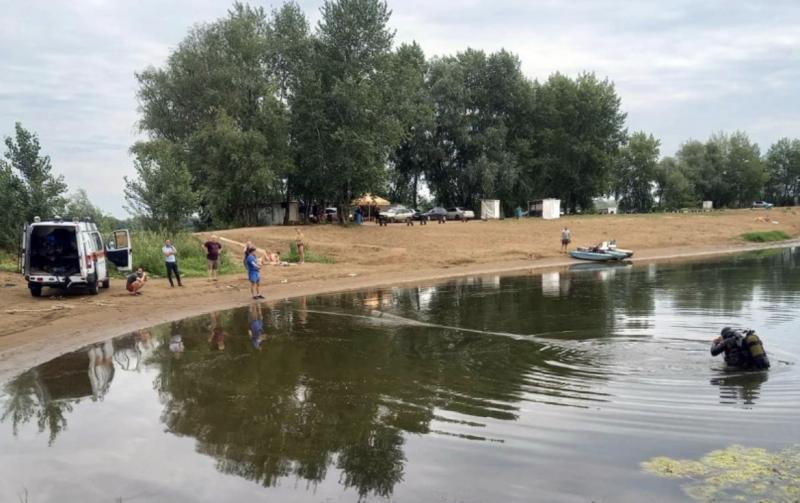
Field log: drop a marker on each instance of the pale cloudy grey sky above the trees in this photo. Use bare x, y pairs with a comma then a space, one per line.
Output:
683, 69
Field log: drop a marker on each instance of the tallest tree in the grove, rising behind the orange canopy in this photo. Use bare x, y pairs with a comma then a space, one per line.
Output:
355, 126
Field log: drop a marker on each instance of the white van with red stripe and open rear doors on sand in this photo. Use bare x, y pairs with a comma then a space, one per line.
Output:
66, 255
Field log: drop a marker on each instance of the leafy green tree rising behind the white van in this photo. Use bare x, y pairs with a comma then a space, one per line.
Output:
45, 191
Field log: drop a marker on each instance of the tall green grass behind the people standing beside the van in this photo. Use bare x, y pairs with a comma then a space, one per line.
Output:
191, 254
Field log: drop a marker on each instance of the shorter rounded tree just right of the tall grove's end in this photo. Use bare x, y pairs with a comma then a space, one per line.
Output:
635, 172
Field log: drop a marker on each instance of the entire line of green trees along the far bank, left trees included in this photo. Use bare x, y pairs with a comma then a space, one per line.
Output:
258, 107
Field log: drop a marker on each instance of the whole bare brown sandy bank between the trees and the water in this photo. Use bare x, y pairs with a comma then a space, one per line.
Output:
35, 330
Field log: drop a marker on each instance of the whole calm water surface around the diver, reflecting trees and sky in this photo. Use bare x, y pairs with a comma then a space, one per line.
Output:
550, 387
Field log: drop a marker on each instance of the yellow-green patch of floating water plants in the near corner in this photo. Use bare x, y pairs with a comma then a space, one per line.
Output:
736, 473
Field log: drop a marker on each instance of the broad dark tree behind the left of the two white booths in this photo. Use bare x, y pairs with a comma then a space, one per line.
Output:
479, 101
